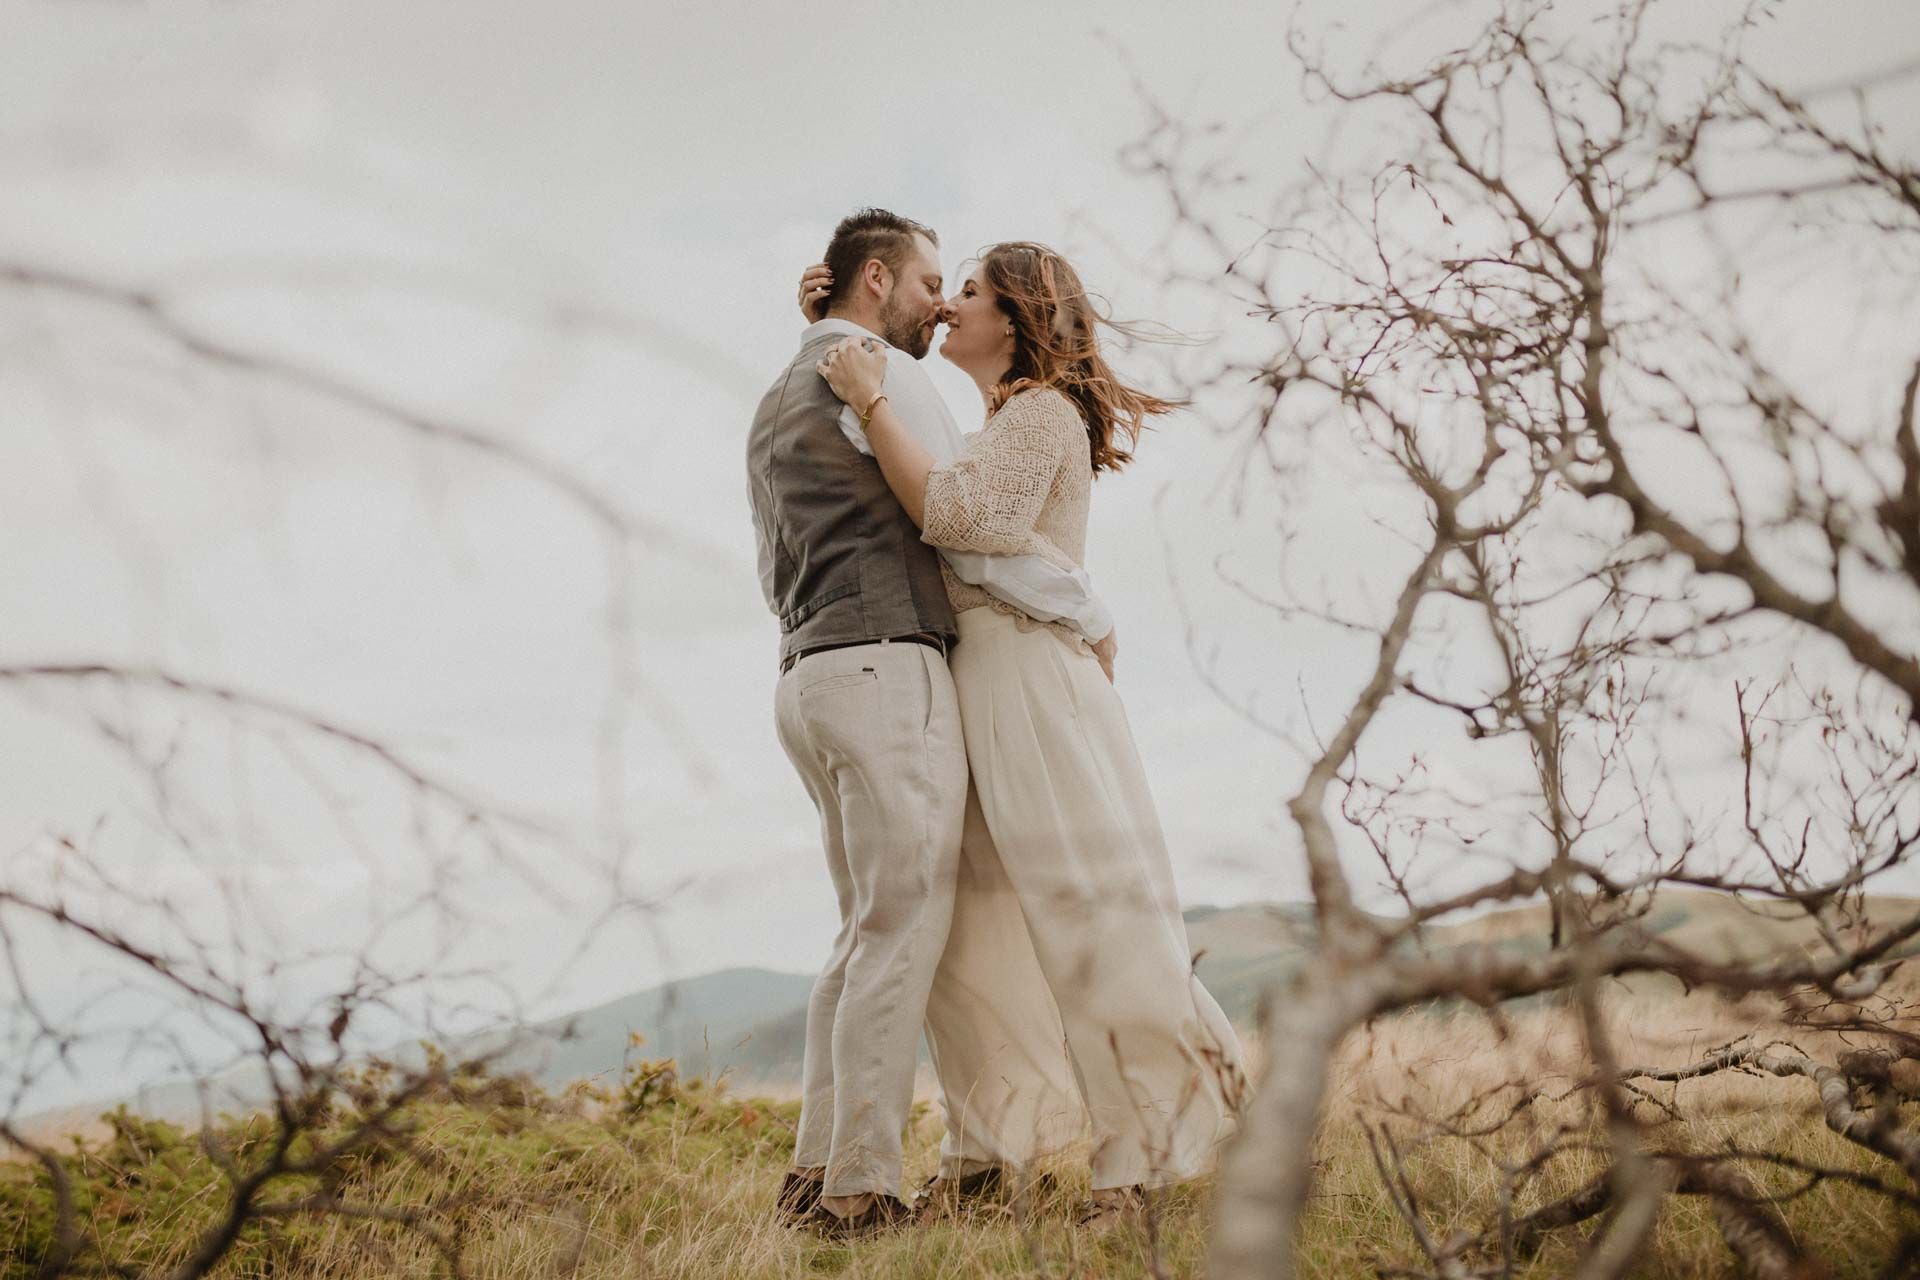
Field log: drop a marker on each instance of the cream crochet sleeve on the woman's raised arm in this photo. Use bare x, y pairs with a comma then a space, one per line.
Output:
992, 496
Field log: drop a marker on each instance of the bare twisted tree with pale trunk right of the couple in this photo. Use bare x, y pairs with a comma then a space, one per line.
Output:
1654, 563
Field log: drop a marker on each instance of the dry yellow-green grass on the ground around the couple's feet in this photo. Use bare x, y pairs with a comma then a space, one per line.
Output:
679, 1179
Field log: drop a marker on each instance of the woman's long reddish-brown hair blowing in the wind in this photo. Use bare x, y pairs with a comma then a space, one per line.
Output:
1055, 346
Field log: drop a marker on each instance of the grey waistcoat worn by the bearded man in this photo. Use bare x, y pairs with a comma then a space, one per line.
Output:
840, 559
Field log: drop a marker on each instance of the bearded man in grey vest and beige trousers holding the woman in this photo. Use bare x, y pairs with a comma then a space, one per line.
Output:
867, 707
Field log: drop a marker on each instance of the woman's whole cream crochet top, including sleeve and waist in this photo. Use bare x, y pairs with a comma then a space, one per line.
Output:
1022, 488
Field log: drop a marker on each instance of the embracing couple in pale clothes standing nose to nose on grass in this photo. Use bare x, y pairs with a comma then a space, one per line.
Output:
946, 694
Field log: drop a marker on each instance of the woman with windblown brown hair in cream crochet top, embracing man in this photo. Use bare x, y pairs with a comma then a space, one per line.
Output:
1082, 905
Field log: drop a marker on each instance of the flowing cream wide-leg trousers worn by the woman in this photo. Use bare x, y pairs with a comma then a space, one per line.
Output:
1068, 968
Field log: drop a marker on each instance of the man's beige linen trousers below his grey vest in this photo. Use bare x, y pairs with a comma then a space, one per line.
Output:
875, 732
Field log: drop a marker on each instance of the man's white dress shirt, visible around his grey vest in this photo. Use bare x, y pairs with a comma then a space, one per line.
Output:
1032, 584
